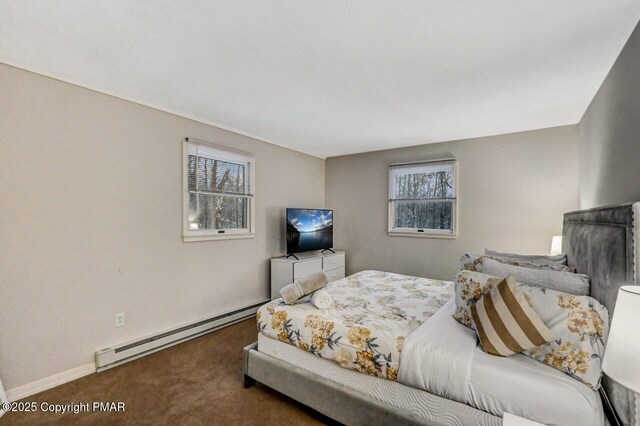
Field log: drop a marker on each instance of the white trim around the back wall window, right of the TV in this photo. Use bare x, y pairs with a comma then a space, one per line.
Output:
426, 233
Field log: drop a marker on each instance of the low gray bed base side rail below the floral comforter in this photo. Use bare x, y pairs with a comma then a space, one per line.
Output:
347, 405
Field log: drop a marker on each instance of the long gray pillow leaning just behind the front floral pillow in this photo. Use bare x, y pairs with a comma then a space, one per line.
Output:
567, 282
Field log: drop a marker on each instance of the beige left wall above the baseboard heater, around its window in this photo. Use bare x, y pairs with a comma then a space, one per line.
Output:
90, 224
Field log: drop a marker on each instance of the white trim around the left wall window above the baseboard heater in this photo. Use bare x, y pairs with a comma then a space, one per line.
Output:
215, 235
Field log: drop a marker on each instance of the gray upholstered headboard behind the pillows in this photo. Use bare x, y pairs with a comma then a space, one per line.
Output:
601, 243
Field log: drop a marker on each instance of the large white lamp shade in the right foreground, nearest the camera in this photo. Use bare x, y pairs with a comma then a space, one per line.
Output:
622, 355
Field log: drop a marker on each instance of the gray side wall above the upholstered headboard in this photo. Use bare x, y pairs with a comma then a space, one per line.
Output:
610, 134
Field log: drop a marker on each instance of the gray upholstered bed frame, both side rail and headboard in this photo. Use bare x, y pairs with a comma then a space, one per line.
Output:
599, 242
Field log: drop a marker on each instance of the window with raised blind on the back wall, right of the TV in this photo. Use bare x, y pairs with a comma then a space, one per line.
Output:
422, 199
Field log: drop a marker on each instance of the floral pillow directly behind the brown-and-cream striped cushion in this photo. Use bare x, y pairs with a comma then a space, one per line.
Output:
580, 324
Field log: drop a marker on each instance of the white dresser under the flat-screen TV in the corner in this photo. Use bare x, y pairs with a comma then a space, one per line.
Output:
285, 271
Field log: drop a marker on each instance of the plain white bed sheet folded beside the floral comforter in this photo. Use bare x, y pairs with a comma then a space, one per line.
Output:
442, 357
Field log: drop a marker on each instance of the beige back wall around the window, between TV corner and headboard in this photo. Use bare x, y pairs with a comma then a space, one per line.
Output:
513, 190
